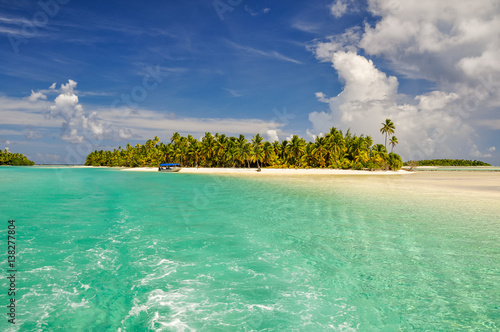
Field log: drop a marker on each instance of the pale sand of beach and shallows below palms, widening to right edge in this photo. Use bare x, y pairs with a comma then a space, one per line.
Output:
470, 185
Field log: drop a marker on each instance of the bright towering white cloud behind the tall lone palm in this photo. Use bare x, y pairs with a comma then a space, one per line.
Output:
428, 127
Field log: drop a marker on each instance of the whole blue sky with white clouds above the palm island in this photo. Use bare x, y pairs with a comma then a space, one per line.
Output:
78, 76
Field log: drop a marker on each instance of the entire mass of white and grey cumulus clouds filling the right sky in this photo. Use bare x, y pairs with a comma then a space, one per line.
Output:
452, 44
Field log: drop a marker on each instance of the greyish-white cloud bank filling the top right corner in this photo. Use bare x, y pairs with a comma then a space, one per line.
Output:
441, 40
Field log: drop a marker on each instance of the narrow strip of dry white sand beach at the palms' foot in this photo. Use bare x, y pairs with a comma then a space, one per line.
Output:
280, 171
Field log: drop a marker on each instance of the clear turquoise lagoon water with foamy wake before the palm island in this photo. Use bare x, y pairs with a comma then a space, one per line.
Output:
107, 250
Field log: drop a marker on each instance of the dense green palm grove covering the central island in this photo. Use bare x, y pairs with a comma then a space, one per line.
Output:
335, 150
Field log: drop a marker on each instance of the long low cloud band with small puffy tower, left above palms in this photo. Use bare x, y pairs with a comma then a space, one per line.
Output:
77, 125
